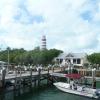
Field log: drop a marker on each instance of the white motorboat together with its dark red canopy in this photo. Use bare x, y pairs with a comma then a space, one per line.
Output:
80, 90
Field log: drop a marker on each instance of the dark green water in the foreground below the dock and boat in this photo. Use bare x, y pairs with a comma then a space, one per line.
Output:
43, 93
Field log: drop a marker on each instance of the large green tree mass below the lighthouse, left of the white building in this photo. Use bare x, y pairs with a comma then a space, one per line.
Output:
36, 56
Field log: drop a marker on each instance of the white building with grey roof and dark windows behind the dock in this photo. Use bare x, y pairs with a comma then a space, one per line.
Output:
77, 59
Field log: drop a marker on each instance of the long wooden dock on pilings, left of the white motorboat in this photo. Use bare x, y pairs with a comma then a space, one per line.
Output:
29, 78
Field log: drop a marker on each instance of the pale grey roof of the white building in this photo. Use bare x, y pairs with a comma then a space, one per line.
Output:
72, 55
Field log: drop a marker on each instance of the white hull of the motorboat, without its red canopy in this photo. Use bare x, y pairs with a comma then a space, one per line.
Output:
82, 91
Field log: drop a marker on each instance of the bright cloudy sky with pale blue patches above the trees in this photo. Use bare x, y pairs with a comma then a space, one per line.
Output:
69, 25
